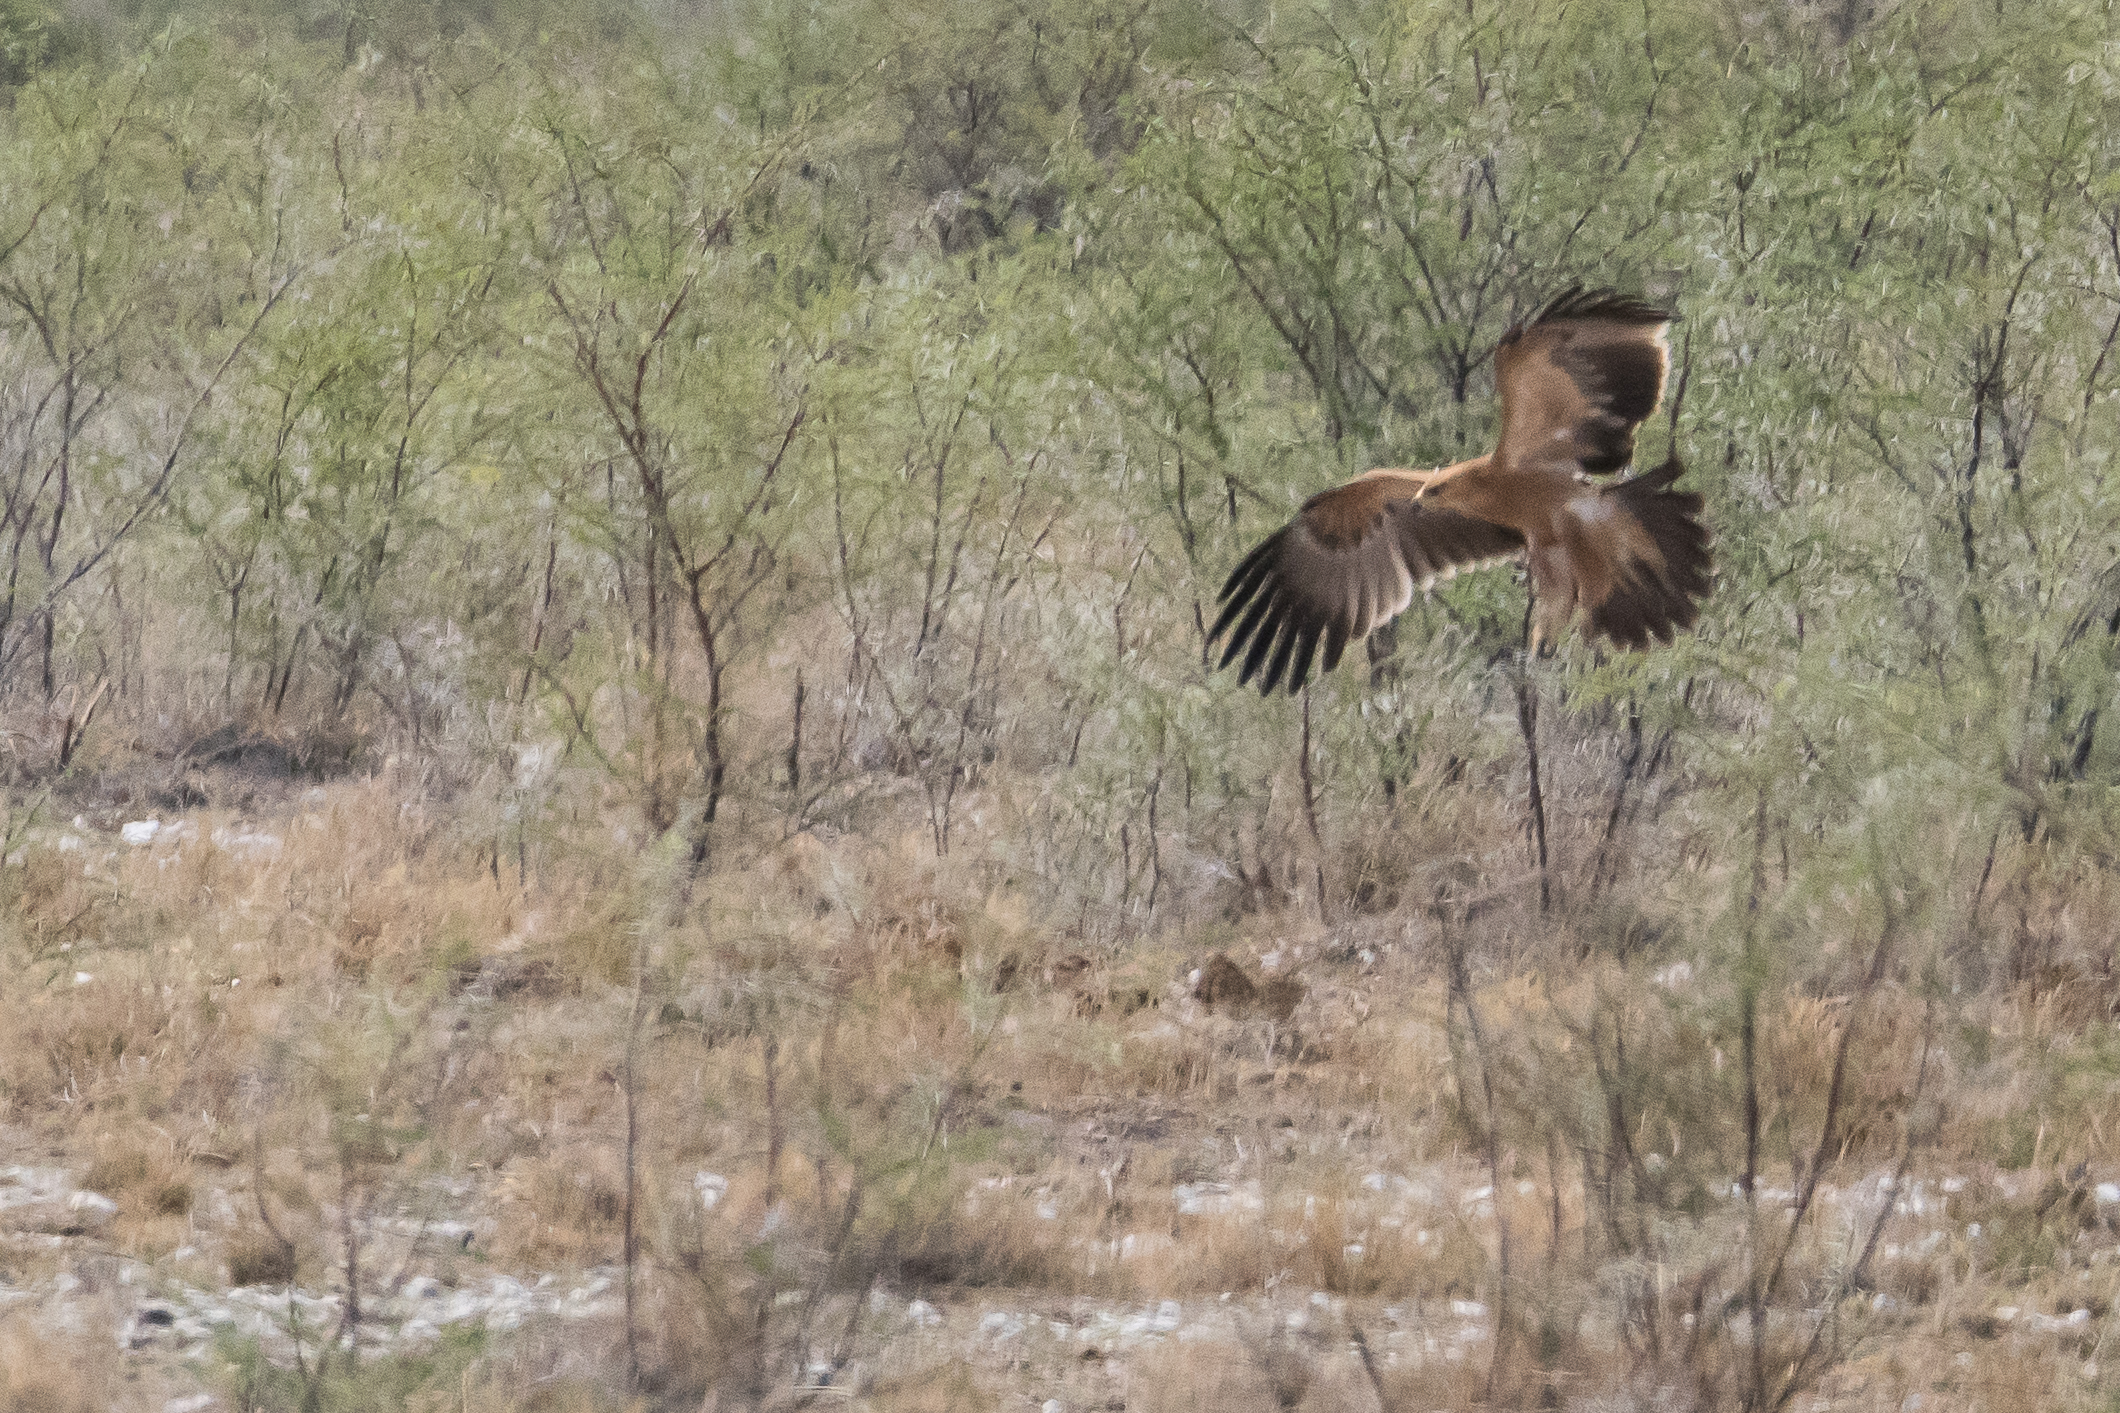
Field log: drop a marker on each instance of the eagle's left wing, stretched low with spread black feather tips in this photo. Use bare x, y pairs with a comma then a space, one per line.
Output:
1345, 565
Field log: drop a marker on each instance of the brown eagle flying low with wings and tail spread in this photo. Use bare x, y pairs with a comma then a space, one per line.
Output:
1576, 380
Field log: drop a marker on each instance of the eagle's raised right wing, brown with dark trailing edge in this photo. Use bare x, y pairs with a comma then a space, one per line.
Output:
1578, 380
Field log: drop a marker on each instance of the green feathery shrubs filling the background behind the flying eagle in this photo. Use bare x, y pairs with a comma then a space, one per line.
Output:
841, 416
